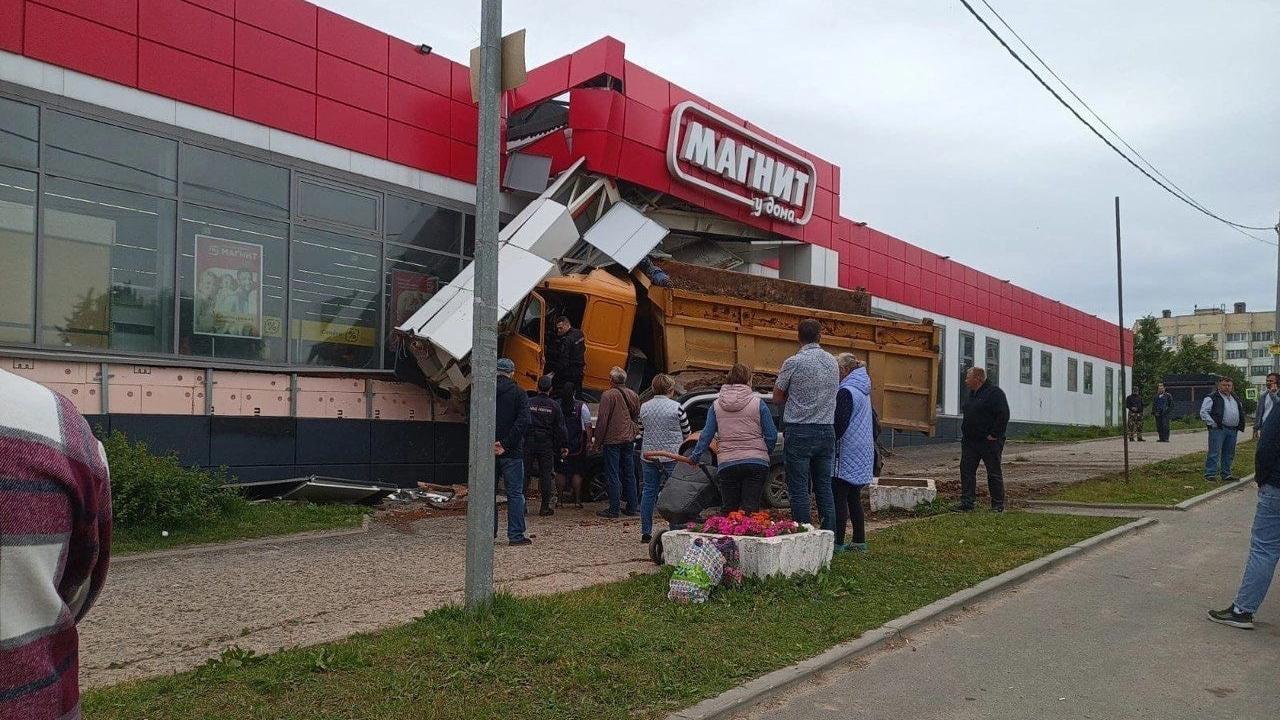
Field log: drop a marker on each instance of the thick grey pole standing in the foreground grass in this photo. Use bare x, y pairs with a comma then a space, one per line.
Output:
484, 327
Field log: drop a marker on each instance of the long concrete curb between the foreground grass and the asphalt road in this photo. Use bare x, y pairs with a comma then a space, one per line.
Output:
760, 690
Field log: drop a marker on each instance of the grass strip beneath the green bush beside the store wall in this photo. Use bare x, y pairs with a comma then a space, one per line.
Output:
241, 522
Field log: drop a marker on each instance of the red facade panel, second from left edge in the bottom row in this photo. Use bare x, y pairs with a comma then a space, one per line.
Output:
81, 45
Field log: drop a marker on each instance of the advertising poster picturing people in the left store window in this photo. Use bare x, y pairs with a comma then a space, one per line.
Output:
228, 288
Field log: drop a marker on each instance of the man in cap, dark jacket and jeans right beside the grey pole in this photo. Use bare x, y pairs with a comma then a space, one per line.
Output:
510, 427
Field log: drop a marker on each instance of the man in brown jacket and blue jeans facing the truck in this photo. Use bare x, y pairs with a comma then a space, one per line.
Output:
616, 427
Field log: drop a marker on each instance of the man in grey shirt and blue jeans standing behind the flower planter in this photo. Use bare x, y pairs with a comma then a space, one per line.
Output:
807, 390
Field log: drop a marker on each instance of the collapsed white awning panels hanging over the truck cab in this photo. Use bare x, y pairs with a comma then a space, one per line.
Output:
577, 224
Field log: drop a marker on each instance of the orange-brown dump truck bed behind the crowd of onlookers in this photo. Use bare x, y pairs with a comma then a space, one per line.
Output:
753, 321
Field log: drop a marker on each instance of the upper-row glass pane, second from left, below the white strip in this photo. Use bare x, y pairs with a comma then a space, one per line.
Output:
100, 152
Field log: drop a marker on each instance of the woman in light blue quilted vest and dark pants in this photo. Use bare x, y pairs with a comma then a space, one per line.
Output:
856, 450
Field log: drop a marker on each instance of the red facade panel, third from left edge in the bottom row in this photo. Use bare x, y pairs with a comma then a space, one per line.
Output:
179, 75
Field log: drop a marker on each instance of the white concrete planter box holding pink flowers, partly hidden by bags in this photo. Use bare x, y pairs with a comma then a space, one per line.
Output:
762, 558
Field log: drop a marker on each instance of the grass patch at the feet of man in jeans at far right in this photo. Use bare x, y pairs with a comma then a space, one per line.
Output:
1168, 482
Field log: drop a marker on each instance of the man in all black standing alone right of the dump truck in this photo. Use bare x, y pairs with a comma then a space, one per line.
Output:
982, 439
